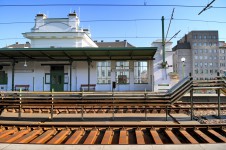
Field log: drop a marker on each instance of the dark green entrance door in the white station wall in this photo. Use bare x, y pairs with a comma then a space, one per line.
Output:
57, 78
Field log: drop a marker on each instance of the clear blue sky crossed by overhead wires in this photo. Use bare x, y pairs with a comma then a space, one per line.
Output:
133, 31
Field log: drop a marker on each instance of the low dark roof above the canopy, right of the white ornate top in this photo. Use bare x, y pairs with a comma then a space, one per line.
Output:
117, 43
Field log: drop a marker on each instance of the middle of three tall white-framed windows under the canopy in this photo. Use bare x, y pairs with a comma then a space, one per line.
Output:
122, 72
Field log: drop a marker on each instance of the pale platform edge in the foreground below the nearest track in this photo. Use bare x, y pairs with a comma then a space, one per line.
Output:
112, 147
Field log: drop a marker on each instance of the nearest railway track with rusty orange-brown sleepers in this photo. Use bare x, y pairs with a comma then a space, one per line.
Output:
112, 134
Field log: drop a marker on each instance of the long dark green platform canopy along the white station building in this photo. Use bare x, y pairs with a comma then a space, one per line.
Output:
77, 54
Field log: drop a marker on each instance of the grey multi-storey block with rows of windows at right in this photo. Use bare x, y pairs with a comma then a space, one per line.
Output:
202, 55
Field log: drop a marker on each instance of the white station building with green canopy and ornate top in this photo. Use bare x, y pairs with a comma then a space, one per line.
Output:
61, 56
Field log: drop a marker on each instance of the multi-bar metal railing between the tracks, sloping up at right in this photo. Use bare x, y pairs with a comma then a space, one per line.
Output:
145, 98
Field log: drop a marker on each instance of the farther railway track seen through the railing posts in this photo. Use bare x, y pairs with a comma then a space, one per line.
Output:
200, 109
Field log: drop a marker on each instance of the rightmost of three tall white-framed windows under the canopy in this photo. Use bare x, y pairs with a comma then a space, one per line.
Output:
140, 72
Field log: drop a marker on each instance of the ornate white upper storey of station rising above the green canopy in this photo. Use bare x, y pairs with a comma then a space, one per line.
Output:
59, 32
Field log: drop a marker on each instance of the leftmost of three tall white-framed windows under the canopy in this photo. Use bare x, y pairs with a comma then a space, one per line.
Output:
104, 72
